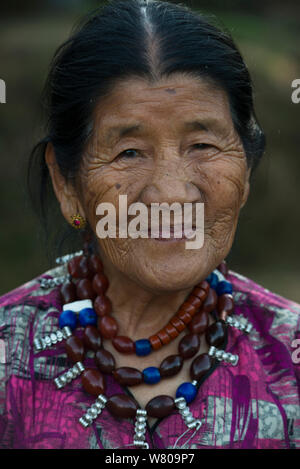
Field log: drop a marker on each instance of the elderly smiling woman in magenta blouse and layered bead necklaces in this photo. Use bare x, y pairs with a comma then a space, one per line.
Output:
138, 341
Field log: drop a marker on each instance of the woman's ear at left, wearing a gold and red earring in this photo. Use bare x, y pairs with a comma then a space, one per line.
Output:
64, 190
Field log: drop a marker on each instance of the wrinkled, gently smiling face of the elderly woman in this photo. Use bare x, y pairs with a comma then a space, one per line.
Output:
166, 159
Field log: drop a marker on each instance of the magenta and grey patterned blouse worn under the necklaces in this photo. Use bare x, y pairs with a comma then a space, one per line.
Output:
252, 405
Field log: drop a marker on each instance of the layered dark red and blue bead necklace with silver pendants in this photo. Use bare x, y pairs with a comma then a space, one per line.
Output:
86, 306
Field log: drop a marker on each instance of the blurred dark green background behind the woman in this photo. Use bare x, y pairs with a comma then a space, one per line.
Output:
268, 34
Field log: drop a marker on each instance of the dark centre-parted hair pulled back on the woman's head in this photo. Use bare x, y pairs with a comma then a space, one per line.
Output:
126, 38
